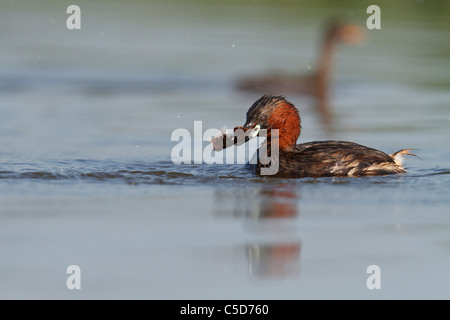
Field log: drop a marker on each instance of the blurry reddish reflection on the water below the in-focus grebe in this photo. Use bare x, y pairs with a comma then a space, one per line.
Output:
266, 211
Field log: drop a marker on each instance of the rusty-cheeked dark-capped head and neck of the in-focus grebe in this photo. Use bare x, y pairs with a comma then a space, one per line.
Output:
274, 112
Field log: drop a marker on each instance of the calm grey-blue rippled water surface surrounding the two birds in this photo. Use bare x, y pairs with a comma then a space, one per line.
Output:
86, 178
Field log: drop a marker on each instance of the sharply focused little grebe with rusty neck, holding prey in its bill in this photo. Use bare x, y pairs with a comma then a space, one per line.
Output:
312, 159
